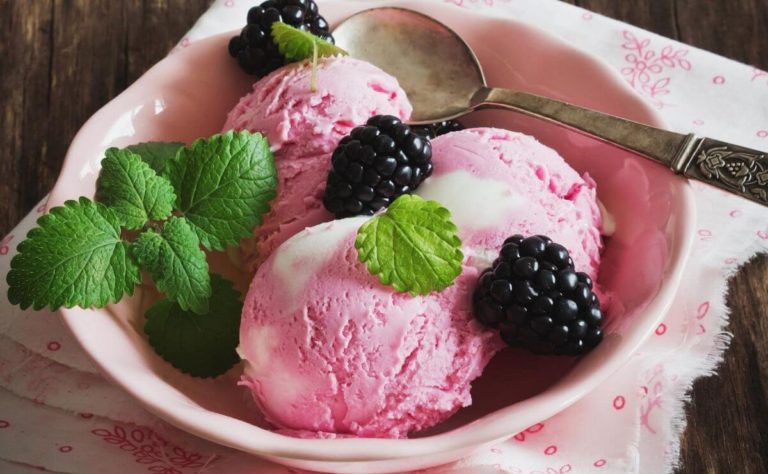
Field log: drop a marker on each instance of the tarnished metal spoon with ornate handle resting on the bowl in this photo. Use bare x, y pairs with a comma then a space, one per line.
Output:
444, 80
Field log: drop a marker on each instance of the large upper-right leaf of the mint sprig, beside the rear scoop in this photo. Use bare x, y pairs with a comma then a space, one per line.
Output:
224, 185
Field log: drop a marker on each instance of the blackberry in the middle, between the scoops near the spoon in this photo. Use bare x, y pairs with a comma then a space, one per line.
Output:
374, 165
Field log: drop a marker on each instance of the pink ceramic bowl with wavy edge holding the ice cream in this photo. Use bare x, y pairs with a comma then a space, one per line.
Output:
187, 96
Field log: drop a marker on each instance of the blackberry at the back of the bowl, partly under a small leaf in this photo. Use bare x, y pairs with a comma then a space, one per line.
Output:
254, 49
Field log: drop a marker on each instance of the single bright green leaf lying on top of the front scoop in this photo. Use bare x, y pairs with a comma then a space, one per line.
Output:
413, 247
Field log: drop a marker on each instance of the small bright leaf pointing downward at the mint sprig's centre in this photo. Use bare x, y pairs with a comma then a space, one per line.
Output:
176, 263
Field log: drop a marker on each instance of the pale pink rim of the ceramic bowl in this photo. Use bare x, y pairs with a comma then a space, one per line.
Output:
485, 430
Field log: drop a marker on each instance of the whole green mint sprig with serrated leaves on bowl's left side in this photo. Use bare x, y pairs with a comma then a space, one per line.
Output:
171, 201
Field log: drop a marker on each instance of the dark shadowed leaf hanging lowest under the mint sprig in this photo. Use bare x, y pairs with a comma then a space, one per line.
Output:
201, 345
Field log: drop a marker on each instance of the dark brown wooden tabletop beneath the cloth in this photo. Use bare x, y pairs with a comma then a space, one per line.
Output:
60, 60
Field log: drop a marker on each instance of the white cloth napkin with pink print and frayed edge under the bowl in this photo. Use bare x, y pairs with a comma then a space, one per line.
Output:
56, 412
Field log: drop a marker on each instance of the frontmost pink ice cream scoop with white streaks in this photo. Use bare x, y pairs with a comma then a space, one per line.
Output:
331, 350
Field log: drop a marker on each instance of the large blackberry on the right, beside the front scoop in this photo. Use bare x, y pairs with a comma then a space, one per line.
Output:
536, 299
